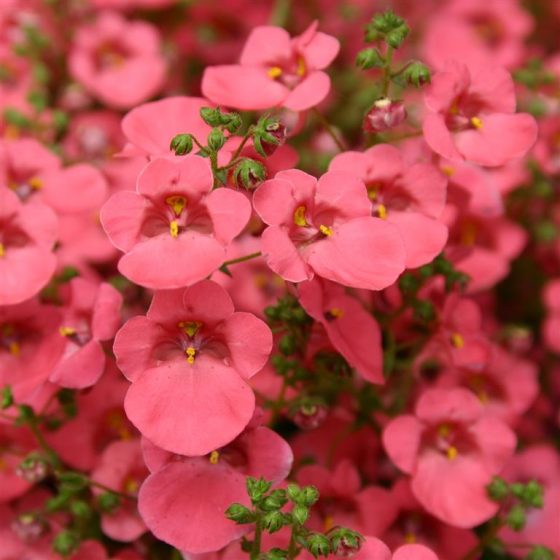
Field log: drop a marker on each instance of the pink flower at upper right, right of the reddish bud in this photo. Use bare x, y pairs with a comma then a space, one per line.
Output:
471, 116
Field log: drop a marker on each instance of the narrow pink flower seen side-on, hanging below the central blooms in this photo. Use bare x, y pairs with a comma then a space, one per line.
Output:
350, 328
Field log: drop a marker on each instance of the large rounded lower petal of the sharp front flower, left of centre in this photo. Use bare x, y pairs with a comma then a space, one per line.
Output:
190, 409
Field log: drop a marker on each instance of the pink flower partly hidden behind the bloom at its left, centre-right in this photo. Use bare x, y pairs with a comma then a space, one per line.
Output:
410, 197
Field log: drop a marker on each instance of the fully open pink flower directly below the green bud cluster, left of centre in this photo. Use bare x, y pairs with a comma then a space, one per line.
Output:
174, 229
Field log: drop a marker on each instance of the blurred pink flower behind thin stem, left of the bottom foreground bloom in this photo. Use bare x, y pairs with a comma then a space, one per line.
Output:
121, 468
